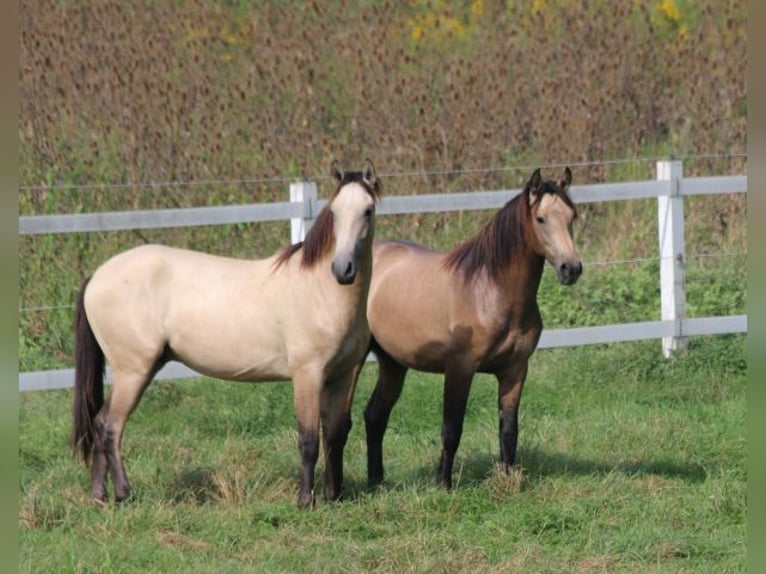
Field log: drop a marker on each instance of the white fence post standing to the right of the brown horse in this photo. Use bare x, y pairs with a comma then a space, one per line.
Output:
672, 254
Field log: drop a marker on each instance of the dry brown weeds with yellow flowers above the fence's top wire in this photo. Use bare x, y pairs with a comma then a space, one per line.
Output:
188, 91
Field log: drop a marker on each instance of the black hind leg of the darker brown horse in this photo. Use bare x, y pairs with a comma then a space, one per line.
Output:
387, 391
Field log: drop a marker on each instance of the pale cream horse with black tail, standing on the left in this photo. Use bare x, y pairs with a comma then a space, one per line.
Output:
298, 315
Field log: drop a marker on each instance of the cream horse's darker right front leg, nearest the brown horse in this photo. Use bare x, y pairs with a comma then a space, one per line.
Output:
337, 396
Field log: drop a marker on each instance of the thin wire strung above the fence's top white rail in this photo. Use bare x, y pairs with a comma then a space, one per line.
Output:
425, 173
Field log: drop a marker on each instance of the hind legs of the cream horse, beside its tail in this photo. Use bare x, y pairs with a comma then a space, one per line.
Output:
123, 398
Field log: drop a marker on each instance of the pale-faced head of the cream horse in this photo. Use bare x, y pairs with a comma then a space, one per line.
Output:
353, 213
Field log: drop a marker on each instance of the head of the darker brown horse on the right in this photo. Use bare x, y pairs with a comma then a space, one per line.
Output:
552, 213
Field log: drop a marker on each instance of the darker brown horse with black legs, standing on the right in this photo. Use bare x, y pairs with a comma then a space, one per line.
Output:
471, 310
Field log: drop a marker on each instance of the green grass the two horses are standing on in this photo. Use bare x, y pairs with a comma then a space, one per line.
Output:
631, 463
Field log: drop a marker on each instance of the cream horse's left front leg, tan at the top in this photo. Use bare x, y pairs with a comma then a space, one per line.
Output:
307, 387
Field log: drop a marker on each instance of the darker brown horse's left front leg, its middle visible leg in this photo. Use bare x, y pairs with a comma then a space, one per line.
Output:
457, 384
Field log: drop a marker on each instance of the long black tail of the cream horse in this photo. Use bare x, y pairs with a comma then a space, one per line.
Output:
88, 381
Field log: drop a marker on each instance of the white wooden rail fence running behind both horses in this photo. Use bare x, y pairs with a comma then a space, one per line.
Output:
669, 188
